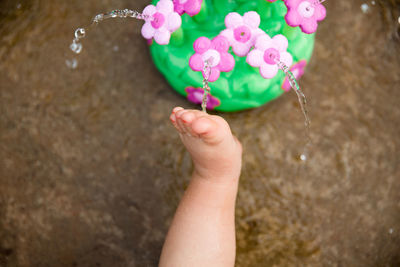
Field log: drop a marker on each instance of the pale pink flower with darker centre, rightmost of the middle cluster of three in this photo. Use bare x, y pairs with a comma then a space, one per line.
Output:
267, 53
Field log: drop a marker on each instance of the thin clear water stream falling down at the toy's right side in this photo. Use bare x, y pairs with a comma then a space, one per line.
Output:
303, 104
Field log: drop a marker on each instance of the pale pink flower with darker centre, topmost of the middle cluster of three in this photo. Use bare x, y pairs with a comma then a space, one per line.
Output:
242, 31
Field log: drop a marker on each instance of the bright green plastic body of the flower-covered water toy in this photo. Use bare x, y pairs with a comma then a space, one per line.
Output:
243, 87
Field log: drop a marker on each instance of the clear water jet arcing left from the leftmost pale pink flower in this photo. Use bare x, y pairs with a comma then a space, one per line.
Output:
80, 33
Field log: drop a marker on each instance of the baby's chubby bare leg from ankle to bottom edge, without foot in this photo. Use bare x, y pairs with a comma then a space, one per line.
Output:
202, 232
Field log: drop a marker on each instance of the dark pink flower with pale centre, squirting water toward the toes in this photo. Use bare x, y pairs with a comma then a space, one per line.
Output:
215, 52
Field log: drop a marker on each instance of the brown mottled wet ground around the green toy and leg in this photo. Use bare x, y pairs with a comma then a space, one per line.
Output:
91, 171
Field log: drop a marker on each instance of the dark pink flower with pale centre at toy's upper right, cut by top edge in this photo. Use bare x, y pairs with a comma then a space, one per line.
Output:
305, 13
